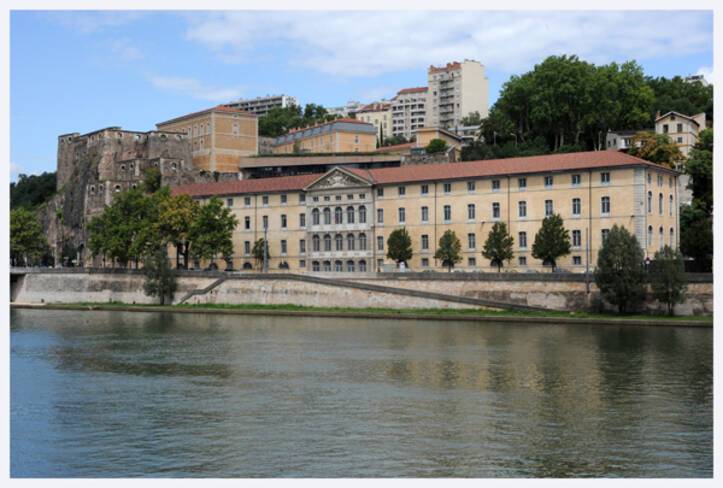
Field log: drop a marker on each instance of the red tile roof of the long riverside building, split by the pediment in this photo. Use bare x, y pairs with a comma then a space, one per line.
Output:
434, 172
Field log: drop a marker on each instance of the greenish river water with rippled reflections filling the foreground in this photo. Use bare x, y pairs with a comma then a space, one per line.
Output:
101, 394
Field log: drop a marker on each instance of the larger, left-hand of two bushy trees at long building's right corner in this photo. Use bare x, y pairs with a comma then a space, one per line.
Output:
620, 272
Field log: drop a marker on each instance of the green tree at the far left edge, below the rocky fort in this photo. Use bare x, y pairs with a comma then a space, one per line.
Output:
28, 243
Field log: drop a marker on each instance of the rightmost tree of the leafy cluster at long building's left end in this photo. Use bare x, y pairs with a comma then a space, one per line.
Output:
211, 231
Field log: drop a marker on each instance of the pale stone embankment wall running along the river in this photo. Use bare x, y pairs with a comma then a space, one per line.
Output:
560, 291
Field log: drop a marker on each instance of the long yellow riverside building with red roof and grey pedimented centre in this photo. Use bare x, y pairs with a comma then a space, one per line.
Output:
340, 220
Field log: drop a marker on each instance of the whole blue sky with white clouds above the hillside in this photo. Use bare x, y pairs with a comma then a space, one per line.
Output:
74, 71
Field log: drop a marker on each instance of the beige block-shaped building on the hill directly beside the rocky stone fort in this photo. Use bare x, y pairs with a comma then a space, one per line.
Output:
218, 136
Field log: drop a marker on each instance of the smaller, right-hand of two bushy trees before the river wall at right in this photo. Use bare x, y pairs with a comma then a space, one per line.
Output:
667, 277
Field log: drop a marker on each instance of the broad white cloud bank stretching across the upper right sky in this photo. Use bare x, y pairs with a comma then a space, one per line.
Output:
369, 43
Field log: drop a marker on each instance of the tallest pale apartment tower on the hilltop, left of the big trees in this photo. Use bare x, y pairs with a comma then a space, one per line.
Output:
456, 90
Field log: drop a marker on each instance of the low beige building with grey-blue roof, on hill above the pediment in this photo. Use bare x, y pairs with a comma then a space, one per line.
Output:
337, 136
